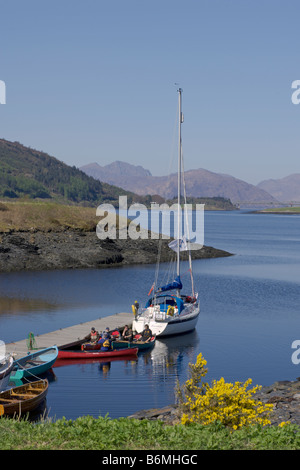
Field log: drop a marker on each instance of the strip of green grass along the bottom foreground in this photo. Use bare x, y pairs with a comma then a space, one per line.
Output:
88, 433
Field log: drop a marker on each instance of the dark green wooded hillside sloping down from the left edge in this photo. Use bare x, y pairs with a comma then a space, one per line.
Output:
25, 172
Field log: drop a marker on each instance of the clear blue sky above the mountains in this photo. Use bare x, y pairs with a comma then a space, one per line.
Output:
95, 81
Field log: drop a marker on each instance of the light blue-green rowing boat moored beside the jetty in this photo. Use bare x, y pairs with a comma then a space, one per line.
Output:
34, 364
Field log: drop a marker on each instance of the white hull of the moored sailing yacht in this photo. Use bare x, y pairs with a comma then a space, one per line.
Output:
169, 326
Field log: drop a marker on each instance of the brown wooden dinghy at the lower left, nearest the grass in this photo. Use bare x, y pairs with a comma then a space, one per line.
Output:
20, 400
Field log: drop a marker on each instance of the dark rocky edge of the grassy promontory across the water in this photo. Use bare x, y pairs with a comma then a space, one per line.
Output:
78, 249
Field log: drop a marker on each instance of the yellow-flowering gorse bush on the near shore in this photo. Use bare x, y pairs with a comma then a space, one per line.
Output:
231, 404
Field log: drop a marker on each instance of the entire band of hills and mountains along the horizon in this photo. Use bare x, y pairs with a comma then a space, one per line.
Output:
26, 172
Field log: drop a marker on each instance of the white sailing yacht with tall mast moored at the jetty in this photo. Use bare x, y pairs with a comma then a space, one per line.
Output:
166, 313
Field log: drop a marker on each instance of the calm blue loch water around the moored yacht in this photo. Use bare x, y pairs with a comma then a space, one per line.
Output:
249, 318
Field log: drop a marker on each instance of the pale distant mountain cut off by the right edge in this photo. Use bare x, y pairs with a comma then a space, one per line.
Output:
285, 189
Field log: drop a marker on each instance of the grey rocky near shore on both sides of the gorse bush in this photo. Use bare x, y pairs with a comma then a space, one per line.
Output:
284, 395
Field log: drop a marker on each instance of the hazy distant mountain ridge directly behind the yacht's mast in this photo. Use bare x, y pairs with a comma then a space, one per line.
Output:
199, 183
